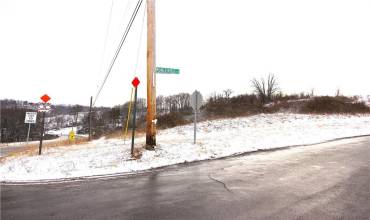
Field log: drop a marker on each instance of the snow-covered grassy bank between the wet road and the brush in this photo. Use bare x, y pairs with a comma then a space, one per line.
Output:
216, 139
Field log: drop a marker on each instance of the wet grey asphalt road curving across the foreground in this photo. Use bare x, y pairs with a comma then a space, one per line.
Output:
327, 181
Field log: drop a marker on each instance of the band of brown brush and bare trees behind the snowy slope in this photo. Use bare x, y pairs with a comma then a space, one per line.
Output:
175, 110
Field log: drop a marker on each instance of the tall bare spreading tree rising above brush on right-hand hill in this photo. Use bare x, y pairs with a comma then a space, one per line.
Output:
265, 92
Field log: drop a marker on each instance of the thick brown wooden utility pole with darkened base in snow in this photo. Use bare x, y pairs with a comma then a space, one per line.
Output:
151, 78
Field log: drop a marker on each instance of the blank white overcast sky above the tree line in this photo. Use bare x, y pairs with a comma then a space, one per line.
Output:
58, 47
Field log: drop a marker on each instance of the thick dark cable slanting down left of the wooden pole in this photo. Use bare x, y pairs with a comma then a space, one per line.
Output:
133, 16
